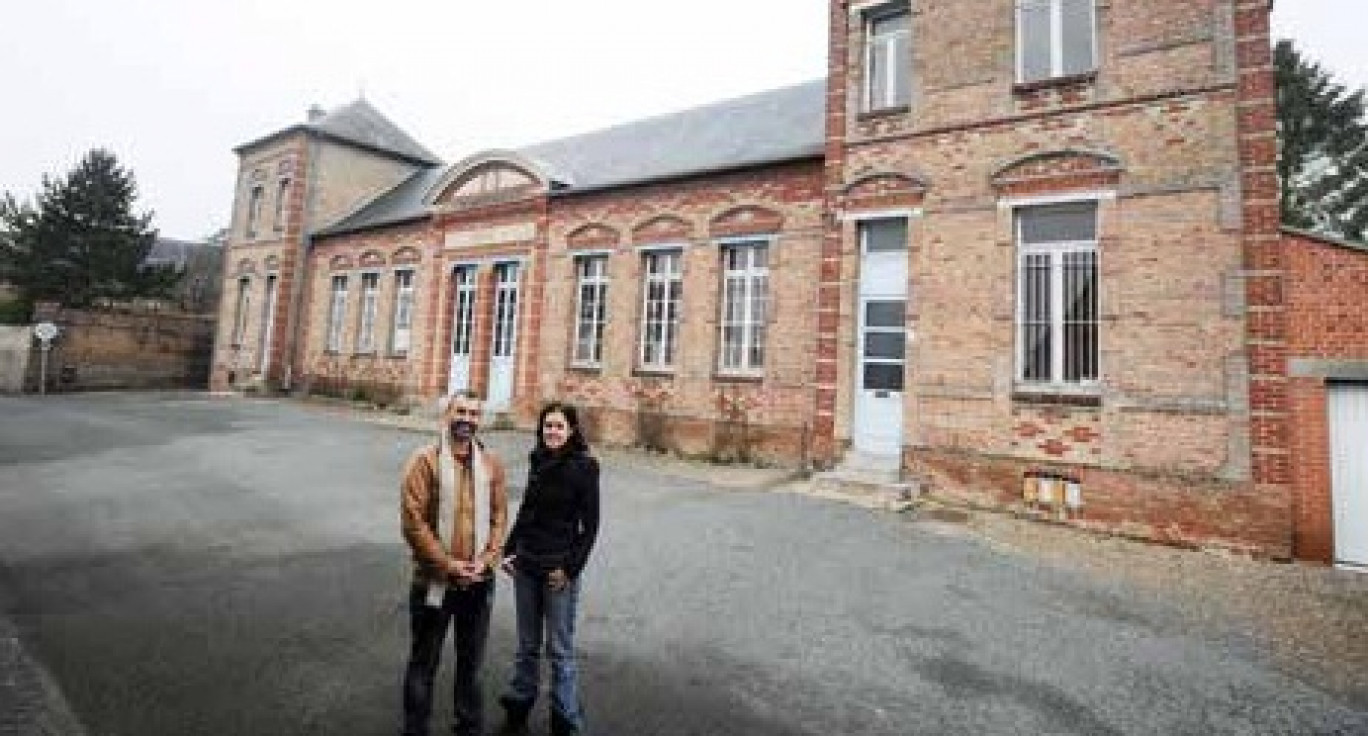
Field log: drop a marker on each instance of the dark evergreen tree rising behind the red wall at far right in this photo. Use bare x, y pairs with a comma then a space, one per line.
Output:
1324, 165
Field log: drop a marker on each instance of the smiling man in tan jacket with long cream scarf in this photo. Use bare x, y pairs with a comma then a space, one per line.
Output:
453, 512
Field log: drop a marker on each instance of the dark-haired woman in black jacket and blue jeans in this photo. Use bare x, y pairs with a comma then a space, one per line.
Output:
548, 549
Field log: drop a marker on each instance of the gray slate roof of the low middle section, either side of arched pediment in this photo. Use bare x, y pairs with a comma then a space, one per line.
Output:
774, 127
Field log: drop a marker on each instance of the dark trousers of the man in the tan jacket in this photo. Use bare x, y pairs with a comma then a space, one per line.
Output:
470, 612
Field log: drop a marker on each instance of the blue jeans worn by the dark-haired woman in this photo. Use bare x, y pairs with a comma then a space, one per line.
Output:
538, 608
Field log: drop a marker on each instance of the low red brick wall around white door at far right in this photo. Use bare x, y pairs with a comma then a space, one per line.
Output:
1328, 319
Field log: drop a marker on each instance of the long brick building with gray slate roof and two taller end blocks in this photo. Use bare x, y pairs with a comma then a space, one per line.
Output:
1025, 252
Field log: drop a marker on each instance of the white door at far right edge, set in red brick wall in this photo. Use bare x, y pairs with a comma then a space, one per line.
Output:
1348, 406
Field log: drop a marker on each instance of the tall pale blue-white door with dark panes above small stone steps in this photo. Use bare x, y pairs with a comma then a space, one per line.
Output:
882, 348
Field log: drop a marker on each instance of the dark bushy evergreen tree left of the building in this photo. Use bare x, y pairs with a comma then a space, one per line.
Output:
80, 241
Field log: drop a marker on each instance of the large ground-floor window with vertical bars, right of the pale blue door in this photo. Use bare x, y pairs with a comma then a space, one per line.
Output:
1058, 293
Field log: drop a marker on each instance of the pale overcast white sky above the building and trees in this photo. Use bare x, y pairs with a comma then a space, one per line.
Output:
172, 87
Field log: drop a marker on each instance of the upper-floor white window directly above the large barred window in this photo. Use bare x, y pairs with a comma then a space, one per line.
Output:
1055, 39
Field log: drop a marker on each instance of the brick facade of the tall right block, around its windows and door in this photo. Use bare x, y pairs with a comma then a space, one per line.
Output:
1176, 128
